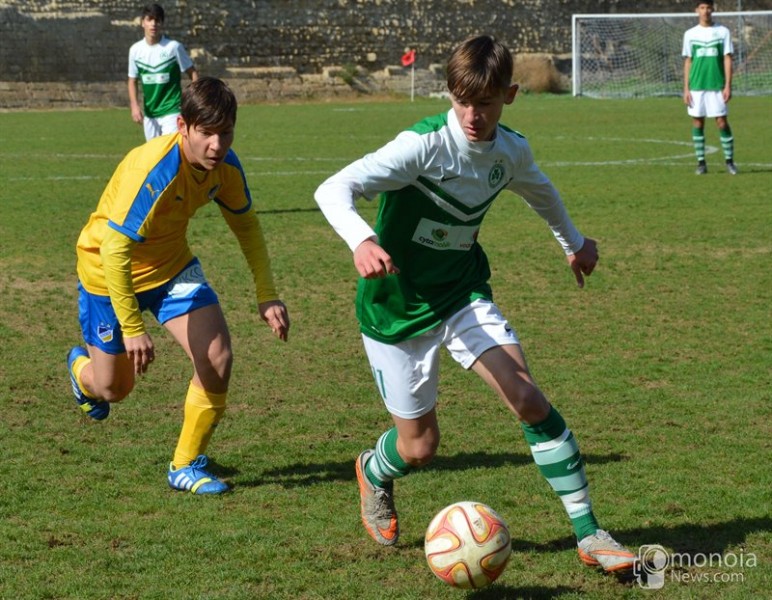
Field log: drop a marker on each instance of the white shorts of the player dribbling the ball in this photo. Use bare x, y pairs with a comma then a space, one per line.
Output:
406, 373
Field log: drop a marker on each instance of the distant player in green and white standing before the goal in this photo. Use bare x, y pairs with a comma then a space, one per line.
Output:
707, 51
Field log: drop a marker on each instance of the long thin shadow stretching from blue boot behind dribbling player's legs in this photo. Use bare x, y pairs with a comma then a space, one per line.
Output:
299, 475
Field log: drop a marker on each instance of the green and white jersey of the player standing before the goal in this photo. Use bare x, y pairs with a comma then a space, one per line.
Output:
707, 46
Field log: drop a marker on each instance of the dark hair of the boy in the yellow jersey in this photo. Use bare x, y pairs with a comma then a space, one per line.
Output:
208, 102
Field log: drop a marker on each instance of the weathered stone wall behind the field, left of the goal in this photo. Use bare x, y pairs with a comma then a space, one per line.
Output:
65, 52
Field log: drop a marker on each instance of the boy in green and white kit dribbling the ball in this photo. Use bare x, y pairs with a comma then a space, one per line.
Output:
424, 285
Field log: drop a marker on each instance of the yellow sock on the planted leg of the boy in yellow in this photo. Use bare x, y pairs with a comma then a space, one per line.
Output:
203, 411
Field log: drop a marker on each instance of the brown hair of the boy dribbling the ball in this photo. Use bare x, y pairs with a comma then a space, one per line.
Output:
479, 66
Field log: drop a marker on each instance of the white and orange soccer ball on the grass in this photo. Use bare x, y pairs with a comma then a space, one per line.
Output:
467, 545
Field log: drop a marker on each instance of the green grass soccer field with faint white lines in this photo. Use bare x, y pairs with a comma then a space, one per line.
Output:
661, 366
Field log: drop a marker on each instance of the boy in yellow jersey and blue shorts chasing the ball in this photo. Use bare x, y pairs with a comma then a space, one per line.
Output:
133, 255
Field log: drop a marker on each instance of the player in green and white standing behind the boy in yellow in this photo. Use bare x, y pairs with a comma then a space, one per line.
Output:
159, 63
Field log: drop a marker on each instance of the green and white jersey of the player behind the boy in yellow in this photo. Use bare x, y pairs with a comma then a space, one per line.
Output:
159, 67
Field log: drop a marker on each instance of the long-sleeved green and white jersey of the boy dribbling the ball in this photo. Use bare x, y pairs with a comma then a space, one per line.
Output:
435, 187
